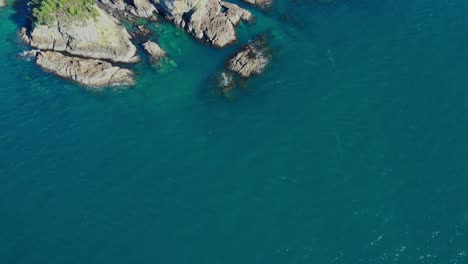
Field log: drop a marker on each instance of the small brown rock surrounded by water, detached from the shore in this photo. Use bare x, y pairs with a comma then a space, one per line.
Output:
252, 59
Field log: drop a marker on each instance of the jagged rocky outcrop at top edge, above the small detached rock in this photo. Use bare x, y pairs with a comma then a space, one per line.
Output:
210, 20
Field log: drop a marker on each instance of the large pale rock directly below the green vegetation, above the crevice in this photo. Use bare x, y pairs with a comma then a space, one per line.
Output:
99, 38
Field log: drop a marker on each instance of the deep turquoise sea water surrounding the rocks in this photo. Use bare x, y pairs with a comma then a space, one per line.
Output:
351, 148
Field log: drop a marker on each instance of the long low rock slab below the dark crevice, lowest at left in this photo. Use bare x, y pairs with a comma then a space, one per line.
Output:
88, 72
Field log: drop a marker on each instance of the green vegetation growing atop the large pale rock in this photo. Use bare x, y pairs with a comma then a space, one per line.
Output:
46, 11
